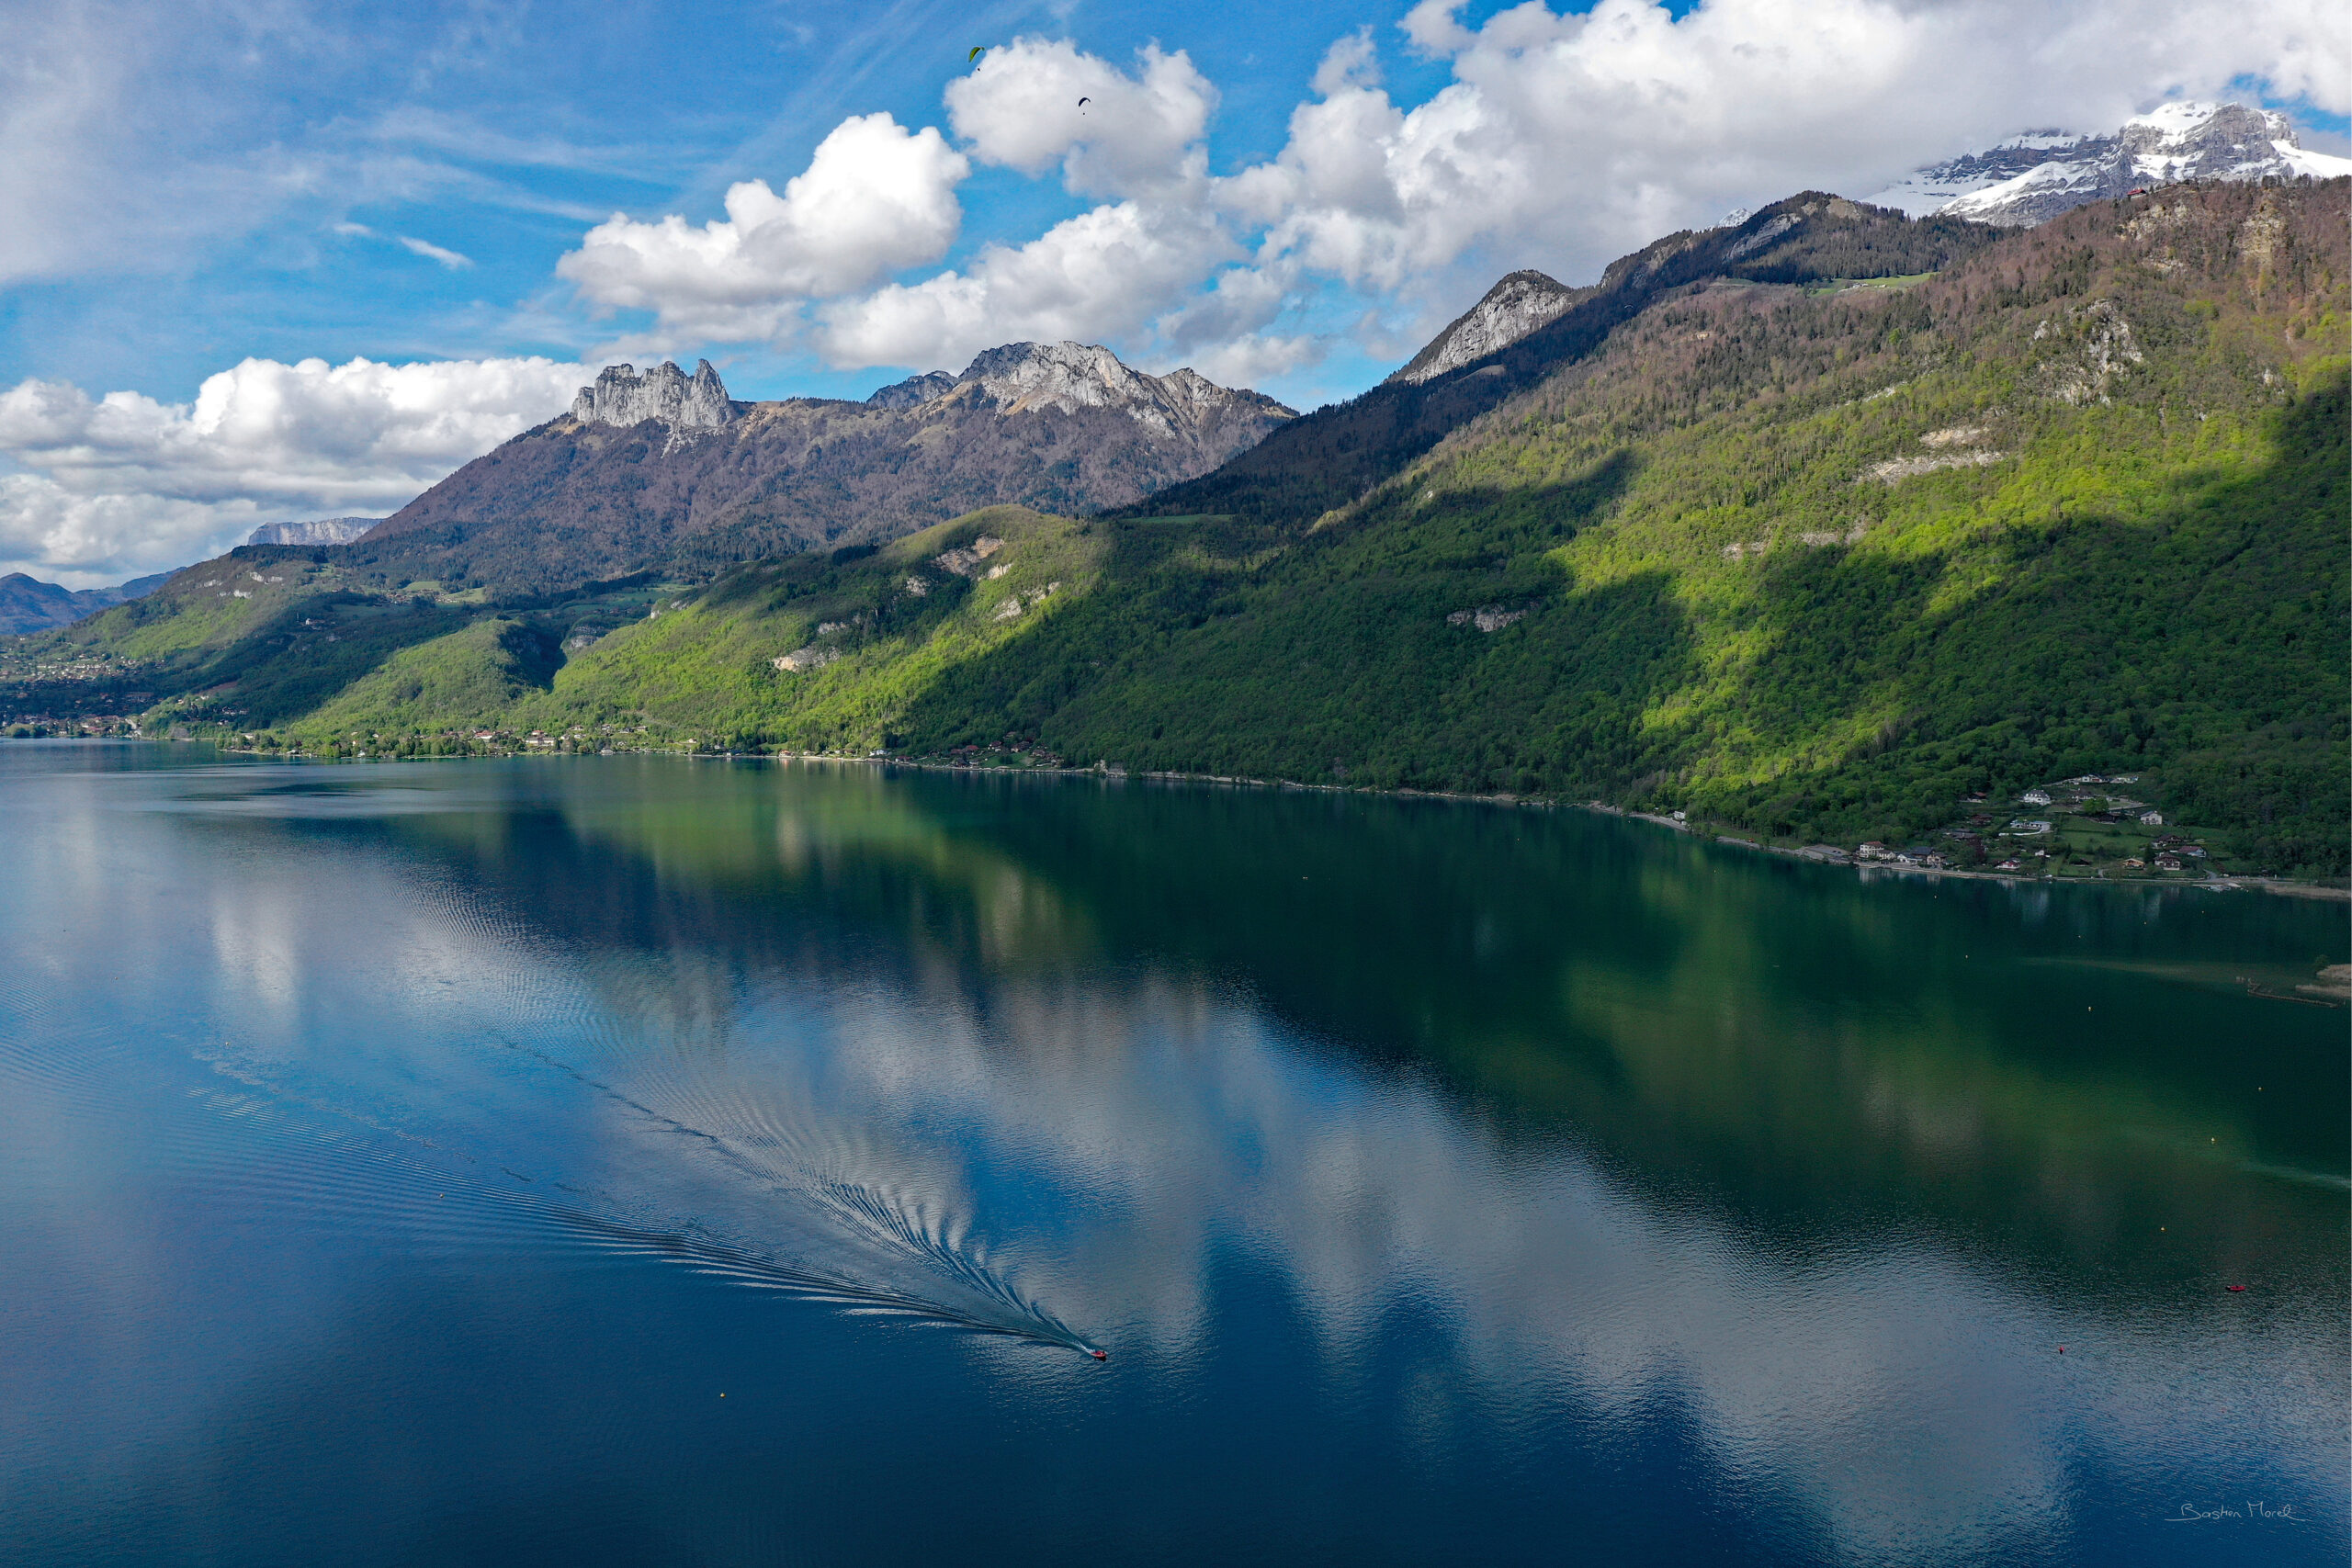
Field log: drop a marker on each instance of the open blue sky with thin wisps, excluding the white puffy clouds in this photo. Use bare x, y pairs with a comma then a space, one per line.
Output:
505, 133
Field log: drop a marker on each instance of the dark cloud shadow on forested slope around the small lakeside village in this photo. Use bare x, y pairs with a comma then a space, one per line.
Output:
2203, 638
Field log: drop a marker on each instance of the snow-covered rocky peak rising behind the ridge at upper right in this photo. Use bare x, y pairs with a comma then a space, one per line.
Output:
2047, 173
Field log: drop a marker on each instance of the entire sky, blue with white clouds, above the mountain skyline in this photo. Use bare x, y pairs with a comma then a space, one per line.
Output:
267, 260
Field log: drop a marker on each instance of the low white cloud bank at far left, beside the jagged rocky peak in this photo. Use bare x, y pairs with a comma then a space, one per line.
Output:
119, 485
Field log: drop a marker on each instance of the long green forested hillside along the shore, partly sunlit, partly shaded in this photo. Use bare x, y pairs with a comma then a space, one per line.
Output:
1800, 556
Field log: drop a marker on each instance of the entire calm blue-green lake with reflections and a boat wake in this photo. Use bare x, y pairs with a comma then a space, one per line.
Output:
683, 1162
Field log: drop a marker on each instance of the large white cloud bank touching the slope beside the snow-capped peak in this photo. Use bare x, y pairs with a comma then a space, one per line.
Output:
1568, 140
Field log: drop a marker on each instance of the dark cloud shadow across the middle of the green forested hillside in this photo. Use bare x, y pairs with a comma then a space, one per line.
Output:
1217, 645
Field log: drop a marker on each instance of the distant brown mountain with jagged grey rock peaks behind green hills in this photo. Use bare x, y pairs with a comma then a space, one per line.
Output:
667, 471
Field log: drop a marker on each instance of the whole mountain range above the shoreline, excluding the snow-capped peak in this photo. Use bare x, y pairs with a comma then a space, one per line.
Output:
1810, 525
